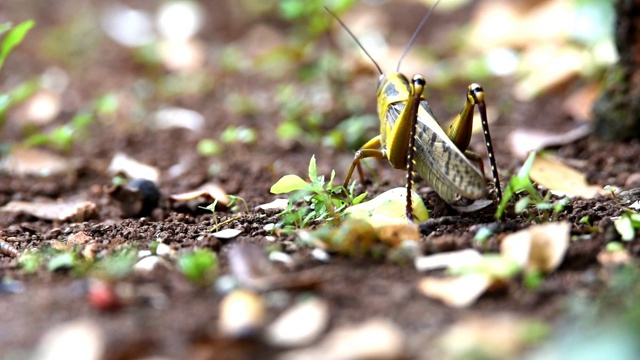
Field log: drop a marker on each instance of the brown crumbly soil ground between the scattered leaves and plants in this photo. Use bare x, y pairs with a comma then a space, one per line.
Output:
169, 316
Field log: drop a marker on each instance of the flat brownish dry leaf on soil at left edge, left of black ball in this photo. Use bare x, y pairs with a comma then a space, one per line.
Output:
76, 211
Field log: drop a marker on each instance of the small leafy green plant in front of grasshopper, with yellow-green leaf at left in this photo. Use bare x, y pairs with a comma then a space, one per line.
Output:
323, 200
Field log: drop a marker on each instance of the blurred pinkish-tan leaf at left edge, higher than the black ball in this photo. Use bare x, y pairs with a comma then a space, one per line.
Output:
28, 161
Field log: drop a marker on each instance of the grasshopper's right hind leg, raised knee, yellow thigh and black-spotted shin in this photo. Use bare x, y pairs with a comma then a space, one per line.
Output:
460, 132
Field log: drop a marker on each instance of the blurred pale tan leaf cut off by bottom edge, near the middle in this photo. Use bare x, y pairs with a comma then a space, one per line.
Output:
374, 339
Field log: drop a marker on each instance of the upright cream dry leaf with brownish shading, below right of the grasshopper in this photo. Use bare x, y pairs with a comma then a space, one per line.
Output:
539, 248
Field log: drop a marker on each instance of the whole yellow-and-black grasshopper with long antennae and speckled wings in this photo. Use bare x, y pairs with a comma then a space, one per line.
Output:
412, 140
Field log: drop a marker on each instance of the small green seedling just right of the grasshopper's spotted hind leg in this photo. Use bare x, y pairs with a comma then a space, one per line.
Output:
522, 183
